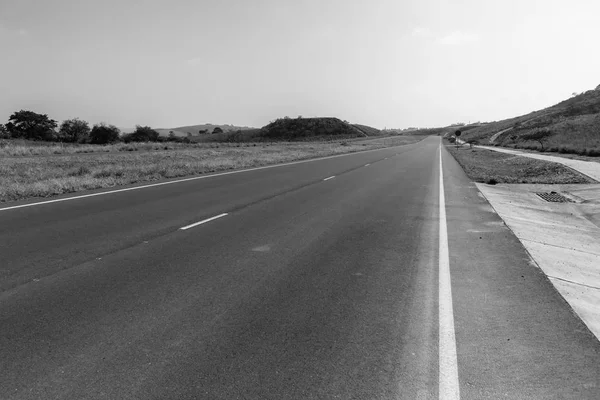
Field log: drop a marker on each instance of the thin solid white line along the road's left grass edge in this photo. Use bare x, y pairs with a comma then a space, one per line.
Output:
192, 179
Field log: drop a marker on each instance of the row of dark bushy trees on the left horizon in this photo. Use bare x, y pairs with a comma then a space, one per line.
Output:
33, 126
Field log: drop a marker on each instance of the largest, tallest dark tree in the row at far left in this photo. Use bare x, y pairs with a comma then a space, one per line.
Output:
29, 125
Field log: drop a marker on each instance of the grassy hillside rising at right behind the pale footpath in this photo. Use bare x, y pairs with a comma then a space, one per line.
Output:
571, 126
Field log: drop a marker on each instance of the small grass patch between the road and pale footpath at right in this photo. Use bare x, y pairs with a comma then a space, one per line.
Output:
488, 166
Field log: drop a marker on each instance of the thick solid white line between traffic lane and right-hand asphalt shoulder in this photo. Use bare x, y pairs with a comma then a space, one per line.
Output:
448, 367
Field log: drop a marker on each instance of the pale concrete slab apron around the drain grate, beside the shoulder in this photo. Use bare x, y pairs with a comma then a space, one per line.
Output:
563, 238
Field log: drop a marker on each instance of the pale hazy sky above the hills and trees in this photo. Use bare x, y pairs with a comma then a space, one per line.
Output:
384, 63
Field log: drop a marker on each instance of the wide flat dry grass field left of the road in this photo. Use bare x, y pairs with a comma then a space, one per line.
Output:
49, 174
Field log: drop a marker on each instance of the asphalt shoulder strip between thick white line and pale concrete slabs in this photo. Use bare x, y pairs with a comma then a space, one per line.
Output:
516, 336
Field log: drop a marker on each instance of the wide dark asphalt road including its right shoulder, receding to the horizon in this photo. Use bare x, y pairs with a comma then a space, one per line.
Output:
309, 288
